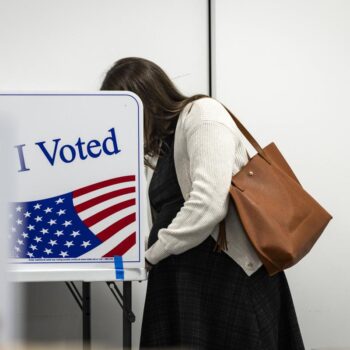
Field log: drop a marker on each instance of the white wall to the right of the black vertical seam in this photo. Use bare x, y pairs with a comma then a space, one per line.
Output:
282, 67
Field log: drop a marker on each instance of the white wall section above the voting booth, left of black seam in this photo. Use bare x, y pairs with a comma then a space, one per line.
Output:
70, 44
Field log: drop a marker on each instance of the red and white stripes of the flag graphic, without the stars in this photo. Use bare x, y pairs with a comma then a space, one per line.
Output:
108, 209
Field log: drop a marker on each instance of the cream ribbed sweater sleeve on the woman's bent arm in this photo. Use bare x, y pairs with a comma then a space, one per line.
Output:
211, 148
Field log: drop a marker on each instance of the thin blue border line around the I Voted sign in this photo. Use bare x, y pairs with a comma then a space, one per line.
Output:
110, 260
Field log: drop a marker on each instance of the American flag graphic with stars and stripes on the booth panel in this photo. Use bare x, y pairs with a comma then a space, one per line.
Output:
93, 222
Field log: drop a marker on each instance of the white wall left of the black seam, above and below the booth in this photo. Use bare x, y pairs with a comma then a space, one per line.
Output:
69, 45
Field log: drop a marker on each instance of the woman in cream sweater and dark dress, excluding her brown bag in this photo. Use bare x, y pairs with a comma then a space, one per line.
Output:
201, 293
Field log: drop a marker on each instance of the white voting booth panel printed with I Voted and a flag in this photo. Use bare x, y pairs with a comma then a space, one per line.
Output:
78, 211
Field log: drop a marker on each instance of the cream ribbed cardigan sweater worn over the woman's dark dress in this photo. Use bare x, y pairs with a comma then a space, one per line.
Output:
208, 150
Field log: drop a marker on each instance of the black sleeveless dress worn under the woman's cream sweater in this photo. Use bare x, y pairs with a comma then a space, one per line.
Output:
202, 299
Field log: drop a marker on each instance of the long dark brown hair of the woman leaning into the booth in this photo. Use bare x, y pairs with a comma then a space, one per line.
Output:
162, 101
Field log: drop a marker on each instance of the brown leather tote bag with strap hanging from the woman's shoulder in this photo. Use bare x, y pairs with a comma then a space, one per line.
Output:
281, 219
